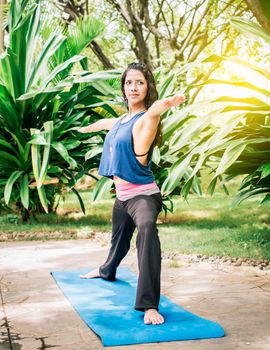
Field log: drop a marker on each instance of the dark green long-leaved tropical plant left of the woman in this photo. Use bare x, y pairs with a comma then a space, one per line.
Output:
42, 104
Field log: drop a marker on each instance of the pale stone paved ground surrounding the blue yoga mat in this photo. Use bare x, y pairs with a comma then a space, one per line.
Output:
35, 314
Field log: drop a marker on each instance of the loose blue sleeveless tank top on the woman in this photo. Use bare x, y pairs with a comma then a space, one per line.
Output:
118, 157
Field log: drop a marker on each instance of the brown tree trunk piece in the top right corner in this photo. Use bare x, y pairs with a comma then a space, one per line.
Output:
261, 10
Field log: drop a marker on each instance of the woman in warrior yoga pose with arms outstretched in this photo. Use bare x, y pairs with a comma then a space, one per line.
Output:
126, 158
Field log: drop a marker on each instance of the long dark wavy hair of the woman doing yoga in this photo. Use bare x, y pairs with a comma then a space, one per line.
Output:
151, 95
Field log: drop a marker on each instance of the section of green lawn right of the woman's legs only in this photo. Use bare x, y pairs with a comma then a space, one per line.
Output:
210, 226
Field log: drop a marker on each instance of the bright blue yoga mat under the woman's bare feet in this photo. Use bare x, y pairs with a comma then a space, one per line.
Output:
108, 309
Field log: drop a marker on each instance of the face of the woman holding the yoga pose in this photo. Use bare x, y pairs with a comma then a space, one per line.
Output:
135, 87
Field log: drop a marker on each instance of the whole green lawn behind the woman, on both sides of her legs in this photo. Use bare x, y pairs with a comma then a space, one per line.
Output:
203, 225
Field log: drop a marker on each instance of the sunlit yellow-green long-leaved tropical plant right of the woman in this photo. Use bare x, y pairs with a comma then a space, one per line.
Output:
240, 146
